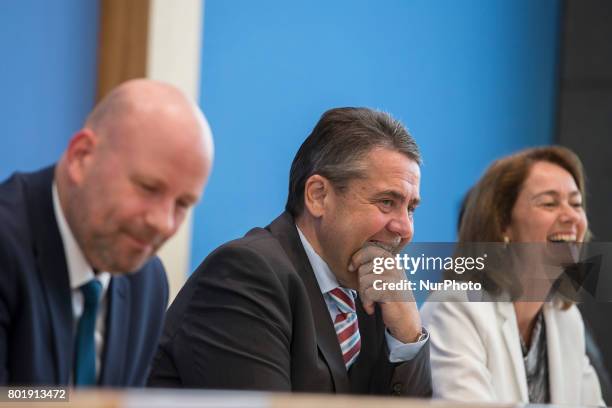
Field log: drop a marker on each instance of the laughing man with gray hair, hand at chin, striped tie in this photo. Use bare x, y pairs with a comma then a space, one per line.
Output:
291, 307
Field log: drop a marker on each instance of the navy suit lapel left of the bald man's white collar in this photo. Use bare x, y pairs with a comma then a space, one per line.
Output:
51, 261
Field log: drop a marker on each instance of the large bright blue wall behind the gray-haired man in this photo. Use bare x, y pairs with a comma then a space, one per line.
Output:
472, 80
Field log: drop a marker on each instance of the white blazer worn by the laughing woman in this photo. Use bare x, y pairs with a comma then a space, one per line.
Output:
476, 353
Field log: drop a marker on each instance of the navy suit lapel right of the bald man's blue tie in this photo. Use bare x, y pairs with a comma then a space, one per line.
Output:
117, 327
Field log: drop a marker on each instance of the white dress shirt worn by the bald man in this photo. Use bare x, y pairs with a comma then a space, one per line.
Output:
79, 273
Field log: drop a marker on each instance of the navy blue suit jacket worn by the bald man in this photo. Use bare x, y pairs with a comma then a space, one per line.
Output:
36, 321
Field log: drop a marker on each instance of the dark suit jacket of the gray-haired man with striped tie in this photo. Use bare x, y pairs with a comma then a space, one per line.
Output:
252, 316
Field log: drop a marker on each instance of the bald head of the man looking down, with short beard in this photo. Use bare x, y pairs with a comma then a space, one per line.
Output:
129, 176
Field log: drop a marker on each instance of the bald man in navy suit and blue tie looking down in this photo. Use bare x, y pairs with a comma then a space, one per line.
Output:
82, 296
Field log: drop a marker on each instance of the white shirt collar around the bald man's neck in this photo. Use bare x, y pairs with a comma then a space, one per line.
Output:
79, 270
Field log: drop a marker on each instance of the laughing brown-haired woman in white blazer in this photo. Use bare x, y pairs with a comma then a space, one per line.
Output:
515, 351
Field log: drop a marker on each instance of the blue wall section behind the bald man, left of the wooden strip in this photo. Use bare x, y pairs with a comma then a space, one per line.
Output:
47, 77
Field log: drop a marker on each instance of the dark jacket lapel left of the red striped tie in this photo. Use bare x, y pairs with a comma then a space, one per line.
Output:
283, 228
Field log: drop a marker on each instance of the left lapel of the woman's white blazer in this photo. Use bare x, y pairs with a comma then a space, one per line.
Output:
509, 328
